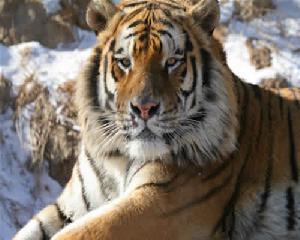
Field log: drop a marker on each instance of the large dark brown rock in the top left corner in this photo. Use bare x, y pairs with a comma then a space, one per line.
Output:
27, 20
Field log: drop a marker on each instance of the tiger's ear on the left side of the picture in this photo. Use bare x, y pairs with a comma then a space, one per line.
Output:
99, 12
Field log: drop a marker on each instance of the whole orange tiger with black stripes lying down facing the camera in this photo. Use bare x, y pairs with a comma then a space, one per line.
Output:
174, 145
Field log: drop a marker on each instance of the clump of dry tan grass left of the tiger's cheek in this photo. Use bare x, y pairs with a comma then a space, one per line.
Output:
51, 133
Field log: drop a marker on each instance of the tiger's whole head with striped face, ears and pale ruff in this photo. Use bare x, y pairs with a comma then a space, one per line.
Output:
155, 87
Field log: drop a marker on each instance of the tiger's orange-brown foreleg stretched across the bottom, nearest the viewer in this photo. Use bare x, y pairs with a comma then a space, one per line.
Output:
185, 207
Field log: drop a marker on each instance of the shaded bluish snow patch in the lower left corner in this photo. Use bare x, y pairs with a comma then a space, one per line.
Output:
22, 192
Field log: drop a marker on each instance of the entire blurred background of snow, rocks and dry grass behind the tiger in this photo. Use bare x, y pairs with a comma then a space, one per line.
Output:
43, 45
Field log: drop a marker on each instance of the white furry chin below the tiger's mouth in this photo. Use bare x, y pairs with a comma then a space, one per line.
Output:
148, 149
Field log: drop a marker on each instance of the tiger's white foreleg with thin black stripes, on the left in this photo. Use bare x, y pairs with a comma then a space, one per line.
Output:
77, 198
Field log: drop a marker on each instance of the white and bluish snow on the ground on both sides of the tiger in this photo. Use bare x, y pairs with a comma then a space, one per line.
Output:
23, 192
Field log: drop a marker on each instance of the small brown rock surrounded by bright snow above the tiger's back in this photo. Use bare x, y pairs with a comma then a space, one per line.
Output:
260, 54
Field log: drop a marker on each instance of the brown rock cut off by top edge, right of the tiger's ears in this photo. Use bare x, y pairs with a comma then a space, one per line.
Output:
247, 10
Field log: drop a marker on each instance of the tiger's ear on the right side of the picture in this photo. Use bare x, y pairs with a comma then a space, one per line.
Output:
206, 13
